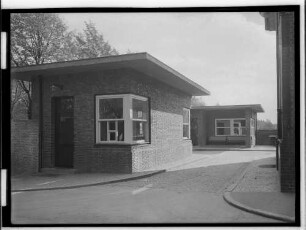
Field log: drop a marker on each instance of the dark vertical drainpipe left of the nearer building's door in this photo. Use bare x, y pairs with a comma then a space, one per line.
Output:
40, 106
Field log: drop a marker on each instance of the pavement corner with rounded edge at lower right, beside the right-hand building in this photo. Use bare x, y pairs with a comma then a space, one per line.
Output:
258, 191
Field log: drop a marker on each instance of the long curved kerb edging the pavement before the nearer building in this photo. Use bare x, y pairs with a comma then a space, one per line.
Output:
91, 184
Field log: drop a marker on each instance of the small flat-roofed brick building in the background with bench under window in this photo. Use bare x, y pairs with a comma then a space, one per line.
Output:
224, 125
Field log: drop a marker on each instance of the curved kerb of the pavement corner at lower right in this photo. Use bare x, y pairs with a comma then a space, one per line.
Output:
228, 198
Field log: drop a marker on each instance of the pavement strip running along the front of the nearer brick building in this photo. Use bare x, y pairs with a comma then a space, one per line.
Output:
54, 180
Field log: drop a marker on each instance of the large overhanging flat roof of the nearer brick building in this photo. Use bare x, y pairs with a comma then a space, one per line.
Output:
142, 62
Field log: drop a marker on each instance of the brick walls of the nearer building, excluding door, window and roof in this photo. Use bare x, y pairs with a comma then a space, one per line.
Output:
166, 104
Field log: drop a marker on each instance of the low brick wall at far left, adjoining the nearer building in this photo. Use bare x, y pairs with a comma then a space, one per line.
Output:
24, 147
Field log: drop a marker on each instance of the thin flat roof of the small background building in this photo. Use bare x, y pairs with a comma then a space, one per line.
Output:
255, 107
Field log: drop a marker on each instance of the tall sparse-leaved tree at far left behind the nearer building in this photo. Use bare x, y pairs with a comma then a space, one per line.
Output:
35, 39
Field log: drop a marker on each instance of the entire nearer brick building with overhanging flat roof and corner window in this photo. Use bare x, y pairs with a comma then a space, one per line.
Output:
114, 114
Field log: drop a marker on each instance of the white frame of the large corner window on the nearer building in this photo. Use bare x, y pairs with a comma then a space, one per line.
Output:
127, 118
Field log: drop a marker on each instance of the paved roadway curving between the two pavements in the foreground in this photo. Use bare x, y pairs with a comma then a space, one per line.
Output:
190, 194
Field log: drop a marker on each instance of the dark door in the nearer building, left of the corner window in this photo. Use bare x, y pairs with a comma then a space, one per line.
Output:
63, 111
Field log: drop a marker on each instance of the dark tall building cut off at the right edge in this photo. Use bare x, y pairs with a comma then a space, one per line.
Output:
285, 24
